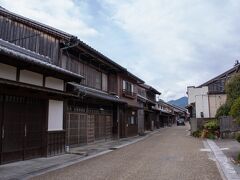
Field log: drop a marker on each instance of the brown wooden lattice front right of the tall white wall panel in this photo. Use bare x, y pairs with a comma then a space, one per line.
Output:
87, 124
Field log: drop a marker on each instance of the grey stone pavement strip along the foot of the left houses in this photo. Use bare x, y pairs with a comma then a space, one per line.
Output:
31, 168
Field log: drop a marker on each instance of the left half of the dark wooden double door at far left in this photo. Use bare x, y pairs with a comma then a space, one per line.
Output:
12, 129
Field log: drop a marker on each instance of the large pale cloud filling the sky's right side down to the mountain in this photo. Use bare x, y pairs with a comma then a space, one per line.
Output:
184, 42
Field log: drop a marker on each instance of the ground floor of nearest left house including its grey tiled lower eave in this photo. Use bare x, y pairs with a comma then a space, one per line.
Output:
32, 98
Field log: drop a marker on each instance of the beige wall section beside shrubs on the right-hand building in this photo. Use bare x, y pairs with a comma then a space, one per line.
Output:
215, 101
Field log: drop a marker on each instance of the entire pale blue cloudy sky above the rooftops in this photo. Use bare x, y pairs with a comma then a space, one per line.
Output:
169, 44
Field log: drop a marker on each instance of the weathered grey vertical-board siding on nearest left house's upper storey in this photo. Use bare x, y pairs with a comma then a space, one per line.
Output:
29, 38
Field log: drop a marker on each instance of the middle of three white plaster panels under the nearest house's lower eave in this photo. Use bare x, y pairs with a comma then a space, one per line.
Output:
30, 77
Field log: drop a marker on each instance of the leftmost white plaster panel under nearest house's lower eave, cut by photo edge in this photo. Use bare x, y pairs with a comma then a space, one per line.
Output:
8, 72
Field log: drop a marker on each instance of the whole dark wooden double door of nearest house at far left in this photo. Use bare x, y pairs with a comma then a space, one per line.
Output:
22, 128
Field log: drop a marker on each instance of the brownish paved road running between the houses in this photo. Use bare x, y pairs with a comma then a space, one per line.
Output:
169, 154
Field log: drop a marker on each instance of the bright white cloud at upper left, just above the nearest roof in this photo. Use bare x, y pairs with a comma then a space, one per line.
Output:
62, 14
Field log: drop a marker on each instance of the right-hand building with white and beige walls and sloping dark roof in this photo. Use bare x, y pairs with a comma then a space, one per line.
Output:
205, 99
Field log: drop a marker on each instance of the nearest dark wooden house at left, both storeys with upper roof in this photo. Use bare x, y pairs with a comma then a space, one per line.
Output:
35, 92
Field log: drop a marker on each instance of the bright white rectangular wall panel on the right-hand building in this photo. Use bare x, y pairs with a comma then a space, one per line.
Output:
202, 105
